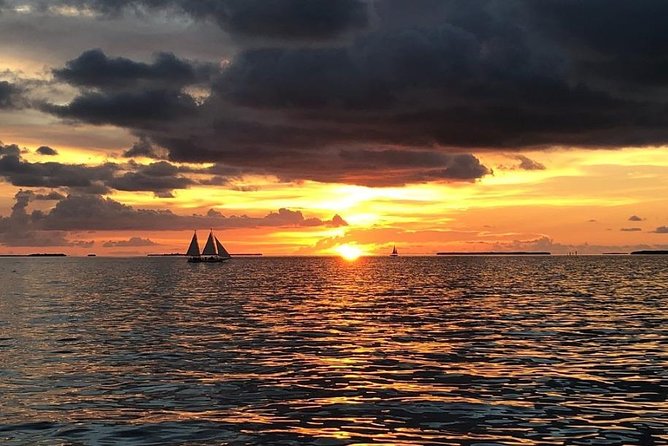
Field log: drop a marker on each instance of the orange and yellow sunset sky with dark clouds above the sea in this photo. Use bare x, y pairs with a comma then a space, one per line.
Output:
312, 127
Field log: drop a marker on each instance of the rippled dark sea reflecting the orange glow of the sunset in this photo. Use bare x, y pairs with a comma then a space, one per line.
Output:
273, 351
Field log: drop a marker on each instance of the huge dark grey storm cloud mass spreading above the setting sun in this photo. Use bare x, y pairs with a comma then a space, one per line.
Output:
448, 76
